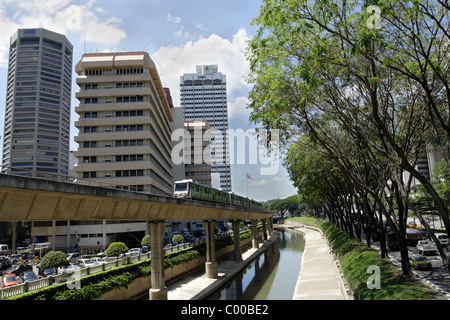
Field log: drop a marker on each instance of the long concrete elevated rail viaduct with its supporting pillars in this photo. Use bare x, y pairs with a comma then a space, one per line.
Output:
35, 199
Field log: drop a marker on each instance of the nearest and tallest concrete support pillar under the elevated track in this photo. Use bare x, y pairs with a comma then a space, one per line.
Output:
158, 290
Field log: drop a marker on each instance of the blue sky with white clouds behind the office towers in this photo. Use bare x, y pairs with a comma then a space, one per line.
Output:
178, 35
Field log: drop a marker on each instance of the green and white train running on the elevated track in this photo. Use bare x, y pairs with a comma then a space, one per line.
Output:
192, 190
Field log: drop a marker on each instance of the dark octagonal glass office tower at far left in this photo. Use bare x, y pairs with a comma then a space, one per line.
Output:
37, 112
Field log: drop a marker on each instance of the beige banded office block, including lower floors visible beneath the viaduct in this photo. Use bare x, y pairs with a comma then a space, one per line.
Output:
124, 139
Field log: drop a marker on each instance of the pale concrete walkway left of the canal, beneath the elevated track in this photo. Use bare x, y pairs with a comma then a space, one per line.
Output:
198, 286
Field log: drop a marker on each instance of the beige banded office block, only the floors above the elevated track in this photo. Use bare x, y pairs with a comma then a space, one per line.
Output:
124, 125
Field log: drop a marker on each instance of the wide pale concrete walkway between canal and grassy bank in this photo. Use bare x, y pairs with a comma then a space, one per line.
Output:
319, 277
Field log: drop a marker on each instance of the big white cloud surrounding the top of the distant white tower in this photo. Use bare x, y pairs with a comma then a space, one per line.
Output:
173, 61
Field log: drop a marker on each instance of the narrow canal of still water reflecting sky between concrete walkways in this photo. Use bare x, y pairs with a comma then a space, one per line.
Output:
272, 276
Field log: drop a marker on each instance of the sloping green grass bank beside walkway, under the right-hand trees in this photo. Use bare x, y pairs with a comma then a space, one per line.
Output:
361, 265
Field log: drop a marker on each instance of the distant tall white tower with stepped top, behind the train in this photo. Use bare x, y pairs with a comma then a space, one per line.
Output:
203, 96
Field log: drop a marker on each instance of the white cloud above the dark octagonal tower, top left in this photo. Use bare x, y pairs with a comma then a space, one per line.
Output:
81, 20
